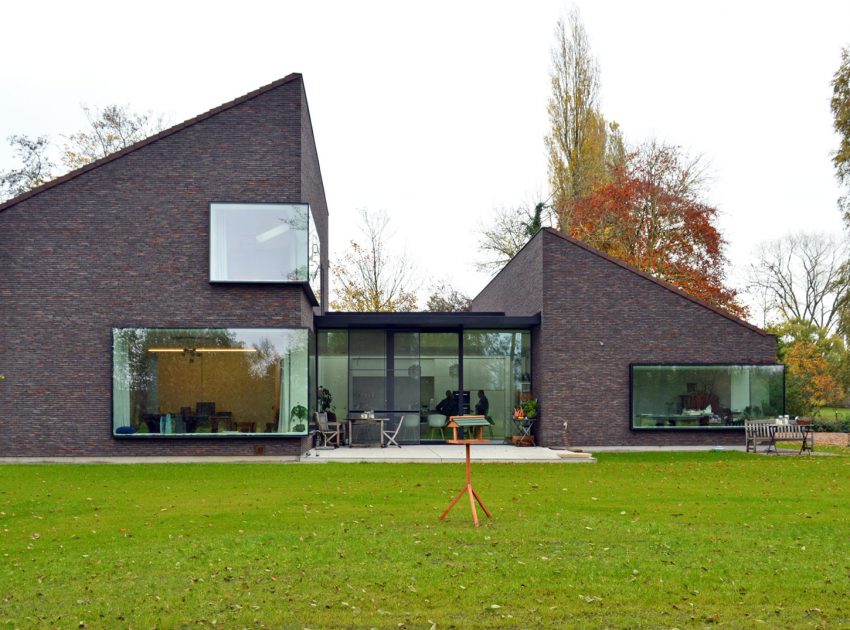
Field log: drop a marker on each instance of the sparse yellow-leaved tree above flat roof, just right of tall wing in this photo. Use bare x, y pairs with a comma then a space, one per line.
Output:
370, 277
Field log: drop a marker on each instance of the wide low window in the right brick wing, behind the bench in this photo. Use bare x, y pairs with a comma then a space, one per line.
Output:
705, 396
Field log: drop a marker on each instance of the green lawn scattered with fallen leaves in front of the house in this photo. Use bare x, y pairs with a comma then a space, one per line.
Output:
637, 540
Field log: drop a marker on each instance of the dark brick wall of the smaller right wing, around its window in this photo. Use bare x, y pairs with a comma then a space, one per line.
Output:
597, 318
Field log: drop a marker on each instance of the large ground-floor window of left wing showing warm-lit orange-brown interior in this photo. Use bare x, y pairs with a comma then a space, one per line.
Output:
210, 381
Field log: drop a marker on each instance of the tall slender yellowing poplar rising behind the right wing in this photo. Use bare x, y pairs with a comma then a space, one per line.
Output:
580, 142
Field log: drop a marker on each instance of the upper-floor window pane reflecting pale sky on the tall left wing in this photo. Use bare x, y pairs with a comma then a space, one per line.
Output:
259, 242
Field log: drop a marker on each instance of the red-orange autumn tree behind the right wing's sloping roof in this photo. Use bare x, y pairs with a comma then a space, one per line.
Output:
653, 215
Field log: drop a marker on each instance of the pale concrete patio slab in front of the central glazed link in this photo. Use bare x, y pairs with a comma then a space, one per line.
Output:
447, 453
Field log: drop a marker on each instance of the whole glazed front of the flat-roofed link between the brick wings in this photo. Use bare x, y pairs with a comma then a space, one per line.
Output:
414, 374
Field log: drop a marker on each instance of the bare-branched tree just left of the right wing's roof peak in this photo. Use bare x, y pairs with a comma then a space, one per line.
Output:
510, 230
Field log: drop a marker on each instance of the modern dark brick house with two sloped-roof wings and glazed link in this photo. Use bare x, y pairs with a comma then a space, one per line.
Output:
170, 299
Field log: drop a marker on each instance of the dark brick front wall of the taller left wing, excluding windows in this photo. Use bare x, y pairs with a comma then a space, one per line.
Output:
126, 244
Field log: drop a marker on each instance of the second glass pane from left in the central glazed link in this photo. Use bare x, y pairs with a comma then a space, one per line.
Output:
368, 370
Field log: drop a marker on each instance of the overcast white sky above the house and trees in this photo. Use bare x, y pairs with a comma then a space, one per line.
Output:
436, 112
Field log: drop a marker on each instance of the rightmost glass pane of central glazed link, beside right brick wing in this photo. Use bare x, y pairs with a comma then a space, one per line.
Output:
497, 372
